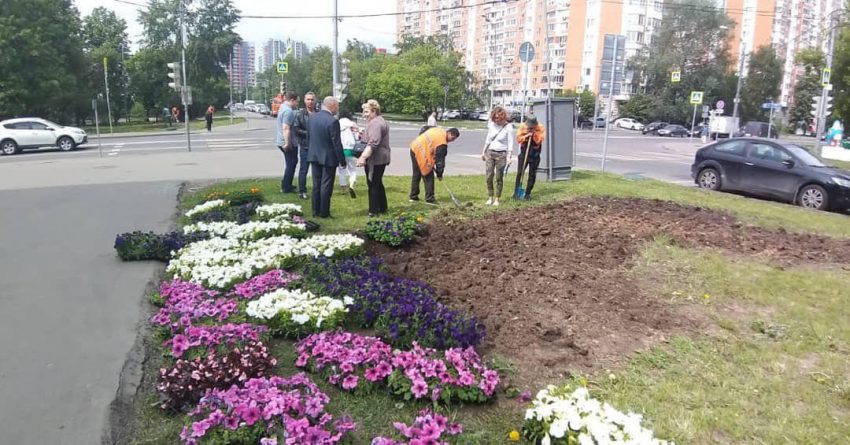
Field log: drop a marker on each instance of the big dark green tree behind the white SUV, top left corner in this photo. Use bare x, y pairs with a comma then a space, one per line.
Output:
42, 65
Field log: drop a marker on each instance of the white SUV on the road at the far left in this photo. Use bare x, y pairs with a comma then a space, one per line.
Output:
32, 132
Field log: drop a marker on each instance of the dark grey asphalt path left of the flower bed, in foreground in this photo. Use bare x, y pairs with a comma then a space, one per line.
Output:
69, 310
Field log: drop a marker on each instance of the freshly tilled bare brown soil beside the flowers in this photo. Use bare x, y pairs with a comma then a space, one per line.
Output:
551, 284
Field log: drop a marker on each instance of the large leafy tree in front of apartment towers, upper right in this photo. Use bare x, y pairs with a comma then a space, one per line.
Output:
692, 38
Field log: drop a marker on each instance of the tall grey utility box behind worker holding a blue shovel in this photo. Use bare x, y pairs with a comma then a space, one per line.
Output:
558, 116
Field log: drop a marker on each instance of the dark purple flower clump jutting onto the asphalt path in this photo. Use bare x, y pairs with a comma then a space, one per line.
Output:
142, 246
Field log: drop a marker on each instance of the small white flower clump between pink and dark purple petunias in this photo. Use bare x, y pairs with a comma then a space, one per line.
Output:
294, 313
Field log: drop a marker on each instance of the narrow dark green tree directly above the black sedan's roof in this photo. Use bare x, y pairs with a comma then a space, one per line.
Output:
762, 84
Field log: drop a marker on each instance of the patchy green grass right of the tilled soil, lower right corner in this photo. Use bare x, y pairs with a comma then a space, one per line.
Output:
775, 372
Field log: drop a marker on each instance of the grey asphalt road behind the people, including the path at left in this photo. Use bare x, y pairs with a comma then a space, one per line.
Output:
69, 309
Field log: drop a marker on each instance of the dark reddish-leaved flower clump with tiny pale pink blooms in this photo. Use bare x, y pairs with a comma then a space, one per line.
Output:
184, 383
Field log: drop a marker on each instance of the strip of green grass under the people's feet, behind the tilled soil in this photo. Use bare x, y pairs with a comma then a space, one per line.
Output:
351, 214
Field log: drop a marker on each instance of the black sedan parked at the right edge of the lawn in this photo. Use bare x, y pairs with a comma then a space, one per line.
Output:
772, 169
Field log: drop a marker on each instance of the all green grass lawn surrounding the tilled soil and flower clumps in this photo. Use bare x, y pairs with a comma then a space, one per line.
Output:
772, 367
